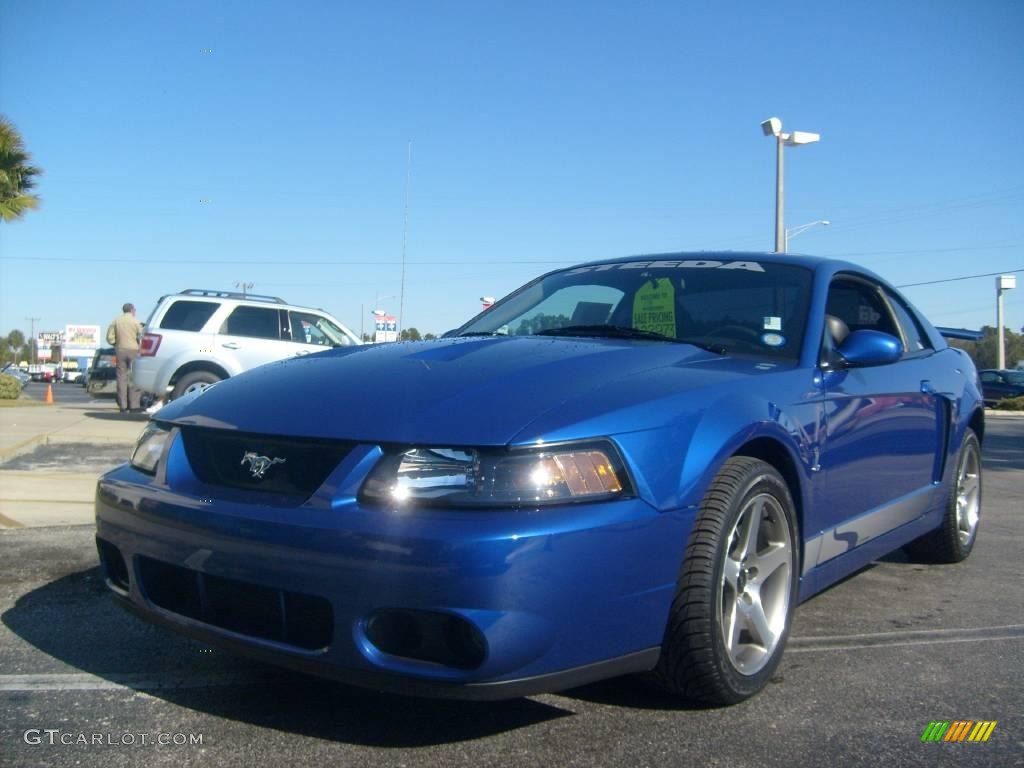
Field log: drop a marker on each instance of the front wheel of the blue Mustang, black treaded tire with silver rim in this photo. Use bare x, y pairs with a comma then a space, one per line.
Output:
697, 663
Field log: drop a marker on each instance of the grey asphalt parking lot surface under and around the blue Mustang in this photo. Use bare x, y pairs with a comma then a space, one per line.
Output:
872, 663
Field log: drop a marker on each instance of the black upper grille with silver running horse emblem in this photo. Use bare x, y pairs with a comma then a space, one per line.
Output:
292, 466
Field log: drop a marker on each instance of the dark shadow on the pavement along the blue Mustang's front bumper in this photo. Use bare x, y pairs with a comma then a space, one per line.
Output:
74, 620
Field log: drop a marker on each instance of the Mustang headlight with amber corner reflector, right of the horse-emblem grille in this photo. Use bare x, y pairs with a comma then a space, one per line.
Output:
470, 478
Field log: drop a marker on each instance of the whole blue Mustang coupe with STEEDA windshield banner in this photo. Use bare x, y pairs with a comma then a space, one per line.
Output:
635, 465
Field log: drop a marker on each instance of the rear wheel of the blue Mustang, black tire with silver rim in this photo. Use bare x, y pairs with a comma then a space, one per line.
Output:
955, 538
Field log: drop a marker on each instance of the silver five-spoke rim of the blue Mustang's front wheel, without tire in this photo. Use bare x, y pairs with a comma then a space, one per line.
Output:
756, 584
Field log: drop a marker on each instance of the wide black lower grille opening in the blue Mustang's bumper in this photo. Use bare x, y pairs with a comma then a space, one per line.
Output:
291, 618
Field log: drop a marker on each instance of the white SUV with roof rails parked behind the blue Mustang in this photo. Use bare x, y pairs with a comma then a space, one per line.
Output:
196, 338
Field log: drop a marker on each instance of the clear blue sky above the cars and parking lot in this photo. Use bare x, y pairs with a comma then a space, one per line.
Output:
544, 134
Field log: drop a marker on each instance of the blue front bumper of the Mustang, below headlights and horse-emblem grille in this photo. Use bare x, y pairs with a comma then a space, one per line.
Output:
556, 598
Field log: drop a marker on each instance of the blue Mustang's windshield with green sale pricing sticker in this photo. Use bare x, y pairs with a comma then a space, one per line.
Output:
730, 308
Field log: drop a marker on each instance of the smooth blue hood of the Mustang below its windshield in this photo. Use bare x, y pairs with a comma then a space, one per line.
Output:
468, 392
